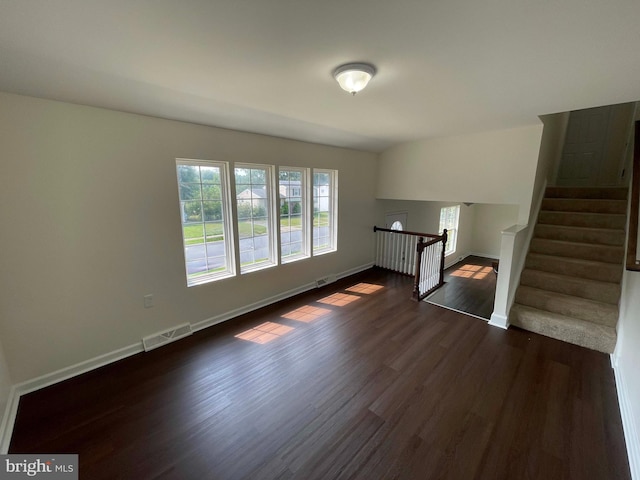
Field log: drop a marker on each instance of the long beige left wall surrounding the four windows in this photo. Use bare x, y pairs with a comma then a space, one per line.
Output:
91, 224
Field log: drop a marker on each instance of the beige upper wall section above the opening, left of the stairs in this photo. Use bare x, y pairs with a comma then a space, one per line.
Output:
492, 167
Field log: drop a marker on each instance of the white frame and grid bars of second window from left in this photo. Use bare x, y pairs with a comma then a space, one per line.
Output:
272, 232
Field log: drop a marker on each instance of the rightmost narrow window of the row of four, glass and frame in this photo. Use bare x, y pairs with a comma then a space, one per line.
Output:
325, 194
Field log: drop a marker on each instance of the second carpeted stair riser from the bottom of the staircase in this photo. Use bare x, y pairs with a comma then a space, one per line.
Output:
602, 314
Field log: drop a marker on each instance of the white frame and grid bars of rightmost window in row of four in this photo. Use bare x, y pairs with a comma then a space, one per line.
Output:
331, 202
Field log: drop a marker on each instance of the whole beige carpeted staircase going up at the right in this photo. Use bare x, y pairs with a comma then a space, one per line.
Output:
570, 286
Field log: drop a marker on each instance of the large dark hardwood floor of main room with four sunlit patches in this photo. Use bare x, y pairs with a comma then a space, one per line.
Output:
340, 383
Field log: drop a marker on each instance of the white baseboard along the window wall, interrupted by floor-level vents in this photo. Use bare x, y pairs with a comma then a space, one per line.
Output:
7, 422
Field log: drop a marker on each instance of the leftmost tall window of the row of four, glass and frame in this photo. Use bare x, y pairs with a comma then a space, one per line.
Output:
204, 211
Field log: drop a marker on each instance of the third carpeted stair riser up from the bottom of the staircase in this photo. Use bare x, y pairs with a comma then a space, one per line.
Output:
602, 292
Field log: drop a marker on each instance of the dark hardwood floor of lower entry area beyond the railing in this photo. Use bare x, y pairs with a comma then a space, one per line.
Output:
470, 287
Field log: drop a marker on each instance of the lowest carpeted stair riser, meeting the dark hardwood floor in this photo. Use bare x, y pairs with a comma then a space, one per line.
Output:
598, 337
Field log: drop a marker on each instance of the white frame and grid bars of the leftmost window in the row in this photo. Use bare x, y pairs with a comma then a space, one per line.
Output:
227, 230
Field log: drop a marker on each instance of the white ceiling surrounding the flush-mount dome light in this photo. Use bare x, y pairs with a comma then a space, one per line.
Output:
445, 67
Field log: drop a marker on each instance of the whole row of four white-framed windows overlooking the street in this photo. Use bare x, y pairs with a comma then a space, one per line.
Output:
219, 239
